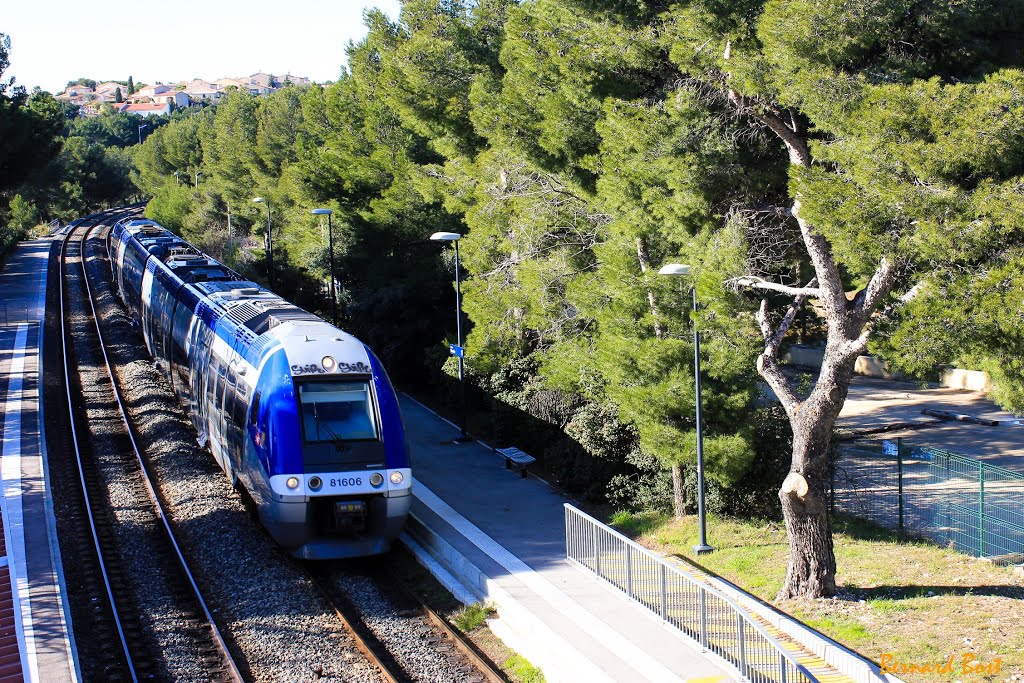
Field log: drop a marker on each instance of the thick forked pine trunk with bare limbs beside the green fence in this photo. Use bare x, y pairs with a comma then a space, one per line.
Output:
812, 571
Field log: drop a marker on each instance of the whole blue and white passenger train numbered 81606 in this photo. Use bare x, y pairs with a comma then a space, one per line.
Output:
300, 413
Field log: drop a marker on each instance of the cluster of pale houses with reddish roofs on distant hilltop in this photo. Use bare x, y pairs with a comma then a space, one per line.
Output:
166, 98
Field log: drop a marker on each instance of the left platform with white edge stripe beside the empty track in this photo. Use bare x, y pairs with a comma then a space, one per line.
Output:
35, 643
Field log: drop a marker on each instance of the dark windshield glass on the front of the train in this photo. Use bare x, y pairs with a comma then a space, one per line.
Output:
337, 412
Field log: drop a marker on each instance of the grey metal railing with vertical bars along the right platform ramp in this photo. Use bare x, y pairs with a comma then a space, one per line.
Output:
703, 613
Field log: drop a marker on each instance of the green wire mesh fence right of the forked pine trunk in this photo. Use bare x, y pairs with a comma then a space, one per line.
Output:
960, 502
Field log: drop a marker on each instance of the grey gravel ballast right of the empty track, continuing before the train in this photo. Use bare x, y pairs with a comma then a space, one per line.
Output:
276, 621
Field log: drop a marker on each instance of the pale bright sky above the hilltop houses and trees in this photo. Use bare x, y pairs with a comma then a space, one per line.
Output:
57, 41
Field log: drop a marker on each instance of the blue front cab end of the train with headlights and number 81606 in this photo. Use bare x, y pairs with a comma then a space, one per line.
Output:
340, 484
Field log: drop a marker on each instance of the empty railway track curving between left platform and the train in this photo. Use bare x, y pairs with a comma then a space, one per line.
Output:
130, 651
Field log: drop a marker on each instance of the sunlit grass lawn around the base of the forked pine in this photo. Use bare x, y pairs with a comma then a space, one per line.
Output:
912, 600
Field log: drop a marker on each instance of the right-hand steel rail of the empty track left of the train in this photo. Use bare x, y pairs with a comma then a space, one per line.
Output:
224, 651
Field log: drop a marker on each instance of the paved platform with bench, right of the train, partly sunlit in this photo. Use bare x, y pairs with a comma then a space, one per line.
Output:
503, 539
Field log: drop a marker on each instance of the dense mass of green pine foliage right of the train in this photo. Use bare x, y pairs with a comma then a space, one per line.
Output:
581, 146
